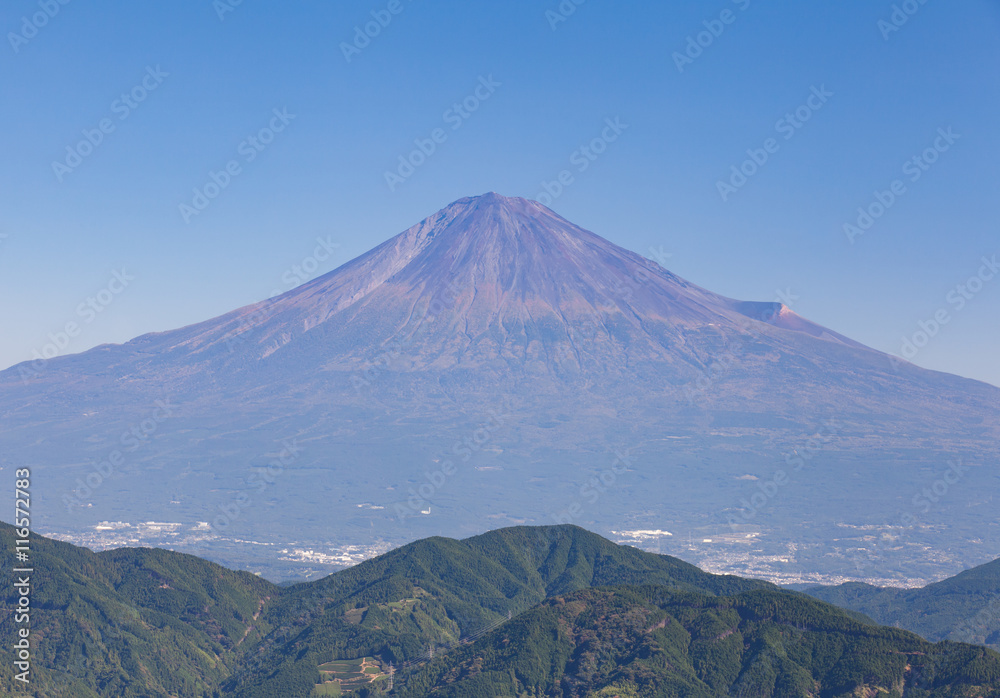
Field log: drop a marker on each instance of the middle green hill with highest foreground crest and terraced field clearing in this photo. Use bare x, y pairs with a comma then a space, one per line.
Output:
438, 590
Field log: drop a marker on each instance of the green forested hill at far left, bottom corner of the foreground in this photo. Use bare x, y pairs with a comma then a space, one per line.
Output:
129, 622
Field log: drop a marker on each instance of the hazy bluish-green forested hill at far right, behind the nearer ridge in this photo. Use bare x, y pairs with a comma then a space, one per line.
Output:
963, 608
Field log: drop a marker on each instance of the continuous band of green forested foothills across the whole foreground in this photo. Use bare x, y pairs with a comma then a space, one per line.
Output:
526, 611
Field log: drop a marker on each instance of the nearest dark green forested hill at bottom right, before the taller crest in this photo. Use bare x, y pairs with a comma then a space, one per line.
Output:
633, 642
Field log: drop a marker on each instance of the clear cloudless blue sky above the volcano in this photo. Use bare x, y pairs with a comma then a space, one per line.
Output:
180, 87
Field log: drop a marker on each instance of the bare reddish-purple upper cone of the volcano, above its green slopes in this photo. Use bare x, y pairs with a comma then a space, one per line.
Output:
508, 285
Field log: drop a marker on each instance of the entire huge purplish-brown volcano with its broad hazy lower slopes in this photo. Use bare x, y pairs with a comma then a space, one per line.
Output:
496, 364
